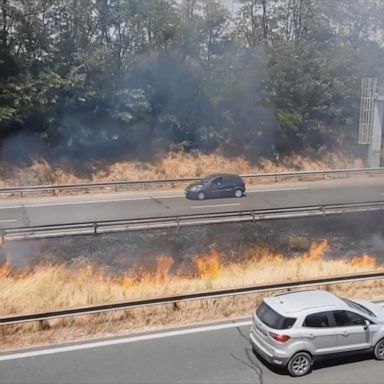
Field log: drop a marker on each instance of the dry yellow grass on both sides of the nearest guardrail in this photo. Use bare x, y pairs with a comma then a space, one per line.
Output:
52, 287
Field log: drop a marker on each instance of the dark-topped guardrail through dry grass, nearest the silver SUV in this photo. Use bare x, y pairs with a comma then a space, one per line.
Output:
97, 309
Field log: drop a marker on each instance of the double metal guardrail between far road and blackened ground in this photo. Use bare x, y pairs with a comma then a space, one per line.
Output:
93, 228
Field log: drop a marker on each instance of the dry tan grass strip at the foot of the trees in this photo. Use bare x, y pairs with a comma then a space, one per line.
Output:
173, 165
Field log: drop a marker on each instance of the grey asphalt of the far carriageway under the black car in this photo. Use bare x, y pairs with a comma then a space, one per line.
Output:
115, 206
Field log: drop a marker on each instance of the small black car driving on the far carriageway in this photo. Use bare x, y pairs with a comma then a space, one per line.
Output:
219, 185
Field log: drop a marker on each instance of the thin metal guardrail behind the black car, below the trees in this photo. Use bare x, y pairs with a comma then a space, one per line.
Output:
116, 185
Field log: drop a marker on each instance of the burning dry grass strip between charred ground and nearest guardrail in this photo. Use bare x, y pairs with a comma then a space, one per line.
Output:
59, 286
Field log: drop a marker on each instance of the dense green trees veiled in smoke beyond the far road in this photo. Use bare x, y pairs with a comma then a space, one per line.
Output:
132, 78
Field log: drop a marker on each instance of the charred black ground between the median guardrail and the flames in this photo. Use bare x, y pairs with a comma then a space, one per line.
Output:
348, 235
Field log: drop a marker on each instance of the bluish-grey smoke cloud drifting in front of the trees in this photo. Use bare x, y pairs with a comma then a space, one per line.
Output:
174, 100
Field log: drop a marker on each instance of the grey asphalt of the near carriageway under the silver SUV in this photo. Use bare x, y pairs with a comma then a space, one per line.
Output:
213, 354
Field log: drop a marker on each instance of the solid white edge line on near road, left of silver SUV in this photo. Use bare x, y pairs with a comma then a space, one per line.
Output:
125, 340
